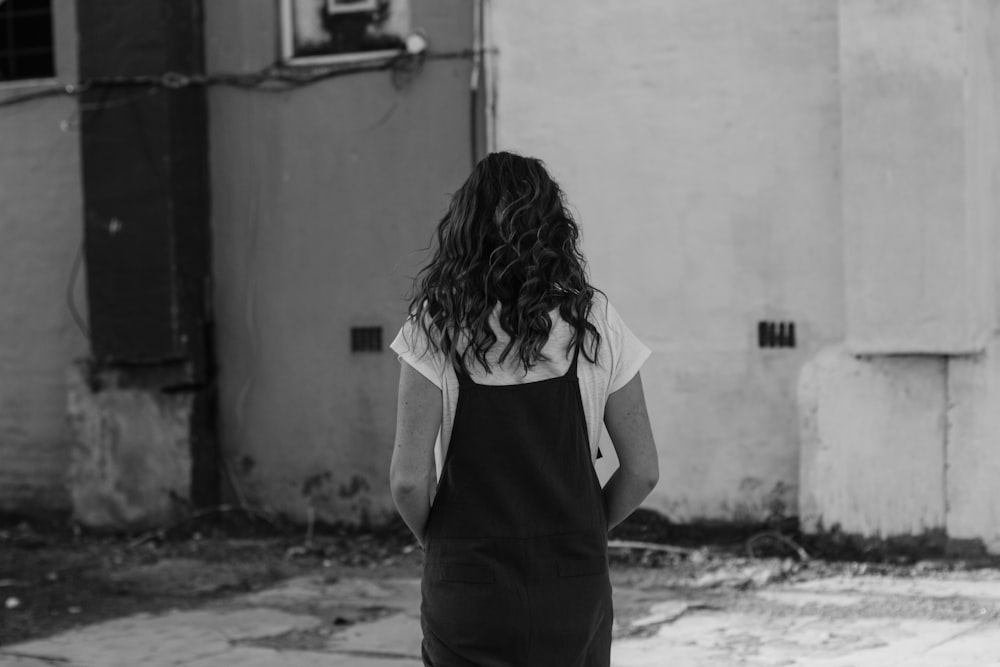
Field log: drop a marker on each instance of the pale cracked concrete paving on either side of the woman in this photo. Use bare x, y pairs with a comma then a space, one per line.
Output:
744, 612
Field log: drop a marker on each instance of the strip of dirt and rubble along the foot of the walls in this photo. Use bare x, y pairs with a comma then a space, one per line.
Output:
56, 577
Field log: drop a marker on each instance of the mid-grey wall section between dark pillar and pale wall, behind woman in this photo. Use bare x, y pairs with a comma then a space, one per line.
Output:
319, 198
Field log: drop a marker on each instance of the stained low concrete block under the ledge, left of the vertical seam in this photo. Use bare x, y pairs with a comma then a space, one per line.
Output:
873, 444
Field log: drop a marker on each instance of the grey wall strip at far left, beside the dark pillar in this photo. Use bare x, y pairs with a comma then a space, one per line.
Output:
41, 227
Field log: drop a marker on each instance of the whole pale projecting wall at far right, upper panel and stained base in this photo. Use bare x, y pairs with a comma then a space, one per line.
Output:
897, 444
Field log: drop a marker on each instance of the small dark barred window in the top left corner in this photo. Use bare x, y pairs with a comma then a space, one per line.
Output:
26, 48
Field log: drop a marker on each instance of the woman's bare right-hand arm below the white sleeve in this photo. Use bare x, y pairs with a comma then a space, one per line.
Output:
627, 420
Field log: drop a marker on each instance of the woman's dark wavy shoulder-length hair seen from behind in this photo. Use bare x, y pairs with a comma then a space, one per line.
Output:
507, 237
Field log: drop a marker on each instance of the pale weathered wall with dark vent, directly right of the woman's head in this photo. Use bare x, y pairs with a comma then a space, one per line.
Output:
699, 142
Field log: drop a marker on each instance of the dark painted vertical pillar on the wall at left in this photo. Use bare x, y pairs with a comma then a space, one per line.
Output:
144, 154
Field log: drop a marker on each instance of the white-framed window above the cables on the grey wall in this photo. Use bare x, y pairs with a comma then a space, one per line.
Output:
326, 31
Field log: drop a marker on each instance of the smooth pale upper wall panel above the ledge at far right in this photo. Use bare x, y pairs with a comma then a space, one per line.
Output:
919, 165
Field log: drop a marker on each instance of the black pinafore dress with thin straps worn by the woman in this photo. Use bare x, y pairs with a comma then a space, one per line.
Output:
516, 568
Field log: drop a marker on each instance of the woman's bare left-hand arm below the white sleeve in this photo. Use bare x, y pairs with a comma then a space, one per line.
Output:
411, 474
